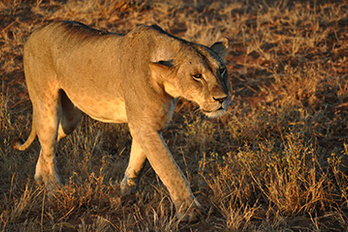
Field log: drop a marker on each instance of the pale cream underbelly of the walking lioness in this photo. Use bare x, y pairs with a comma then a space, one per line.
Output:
101, 109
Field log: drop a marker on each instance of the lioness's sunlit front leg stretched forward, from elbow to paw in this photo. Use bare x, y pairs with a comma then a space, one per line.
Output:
170, 174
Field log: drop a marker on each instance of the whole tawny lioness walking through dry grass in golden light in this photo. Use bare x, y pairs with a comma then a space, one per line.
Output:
71, 69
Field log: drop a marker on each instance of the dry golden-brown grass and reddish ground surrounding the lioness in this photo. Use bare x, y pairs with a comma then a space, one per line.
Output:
276, 162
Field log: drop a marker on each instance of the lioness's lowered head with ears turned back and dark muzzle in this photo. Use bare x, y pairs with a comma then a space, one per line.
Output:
198, 73
